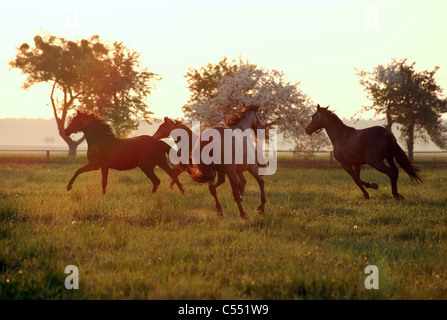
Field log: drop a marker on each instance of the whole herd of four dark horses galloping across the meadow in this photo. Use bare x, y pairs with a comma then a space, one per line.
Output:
352, 148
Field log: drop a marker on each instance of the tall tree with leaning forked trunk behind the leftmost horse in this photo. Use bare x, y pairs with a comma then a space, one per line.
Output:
81, 75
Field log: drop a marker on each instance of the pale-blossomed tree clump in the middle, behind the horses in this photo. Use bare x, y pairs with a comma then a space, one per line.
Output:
217, 90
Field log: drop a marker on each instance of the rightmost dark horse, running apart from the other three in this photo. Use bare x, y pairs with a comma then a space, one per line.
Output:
354, 148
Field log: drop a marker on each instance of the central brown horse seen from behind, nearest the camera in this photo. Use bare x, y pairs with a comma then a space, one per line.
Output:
247, 118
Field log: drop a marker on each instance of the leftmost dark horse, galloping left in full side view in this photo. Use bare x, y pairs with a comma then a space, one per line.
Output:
106, 151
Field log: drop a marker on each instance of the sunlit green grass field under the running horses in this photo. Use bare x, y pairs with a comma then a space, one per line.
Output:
314, 241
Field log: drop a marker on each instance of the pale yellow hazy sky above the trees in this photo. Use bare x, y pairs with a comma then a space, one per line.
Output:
317, 43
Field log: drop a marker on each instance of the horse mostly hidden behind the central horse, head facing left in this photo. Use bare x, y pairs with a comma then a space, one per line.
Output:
164, 131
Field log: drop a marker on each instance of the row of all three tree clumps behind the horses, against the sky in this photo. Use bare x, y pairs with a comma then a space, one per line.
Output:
108, 79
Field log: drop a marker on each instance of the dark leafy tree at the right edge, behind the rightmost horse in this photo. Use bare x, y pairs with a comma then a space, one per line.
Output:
411, 99
